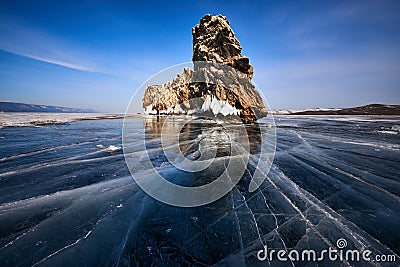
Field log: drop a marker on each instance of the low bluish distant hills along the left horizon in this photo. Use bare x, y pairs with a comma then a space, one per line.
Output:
22, 107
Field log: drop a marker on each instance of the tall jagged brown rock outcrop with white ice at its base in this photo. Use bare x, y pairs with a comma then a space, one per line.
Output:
220, 82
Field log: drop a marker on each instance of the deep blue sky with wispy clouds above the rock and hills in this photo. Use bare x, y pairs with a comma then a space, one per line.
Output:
96, 54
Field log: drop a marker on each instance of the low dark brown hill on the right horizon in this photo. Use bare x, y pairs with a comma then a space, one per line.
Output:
372, 109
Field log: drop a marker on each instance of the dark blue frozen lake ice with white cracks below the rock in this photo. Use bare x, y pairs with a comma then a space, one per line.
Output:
67, 202
